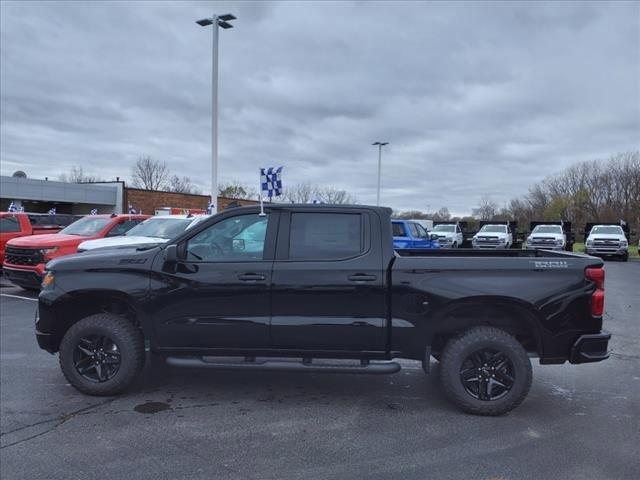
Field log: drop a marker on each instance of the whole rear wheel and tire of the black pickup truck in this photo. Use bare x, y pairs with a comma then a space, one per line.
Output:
485, 371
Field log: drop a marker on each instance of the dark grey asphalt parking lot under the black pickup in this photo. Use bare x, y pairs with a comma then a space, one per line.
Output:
579, 422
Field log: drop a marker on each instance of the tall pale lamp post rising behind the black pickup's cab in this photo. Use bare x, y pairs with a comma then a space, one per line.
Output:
221, 21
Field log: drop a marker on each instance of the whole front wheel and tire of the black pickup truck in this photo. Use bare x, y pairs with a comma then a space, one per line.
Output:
102, 354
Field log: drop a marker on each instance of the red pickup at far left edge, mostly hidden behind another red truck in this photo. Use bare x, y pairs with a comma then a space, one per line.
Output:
20, 224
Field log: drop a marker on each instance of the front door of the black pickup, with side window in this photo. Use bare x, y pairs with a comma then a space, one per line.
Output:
217, 296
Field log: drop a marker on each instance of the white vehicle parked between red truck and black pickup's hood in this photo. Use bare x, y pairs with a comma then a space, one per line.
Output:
154, 230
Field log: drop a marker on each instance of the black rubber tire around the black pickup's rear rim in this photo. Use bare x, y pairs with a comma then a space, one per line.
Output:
459, 348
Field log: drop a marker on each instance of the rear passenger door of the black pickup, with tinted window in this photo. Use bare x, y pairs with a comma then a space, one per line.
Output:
328, 282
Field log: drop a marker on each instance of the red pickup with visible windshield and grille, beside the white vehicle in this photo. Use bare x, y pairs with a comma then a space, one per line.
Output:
26, 257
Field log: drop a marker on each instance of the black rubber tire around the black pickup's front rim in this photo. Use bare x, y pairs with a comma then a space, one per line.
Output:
123, 333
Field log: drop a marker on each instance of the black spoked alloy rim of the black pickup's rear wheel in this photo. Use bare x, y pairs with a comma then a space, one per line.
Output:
487, 374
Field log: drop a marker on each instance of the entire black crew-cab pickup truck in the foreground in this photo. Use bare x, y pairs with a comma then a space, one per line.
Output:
319, 288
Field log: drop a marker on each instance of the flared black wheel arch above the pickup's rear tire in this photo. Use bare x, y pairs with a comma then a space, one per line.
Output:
511, 315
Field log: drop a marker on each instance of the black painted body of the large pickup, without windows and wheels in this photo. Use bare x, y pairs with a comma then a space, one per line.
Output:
379, 304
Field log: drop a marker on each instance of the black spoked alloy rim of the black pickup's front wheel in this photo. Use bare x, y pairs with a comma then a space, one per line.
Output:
96, 358
